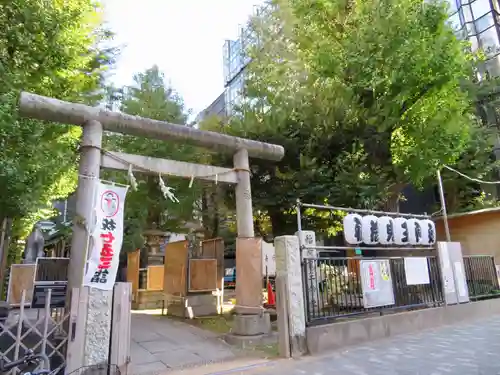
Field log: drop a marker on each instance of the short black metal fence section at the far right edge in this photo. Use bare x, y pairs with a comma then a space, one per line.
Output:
481, 276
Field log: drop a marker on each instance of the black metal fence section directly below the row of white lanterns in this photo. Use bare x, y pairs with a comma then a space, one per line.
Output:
339, 294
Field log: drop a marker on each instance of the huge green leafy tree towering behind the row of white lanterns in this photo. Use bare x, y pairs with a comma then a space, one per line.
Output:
365, 96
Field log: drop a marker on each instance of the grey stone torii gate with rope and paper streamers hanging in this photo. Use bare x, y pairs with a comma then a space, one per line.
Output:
94, 120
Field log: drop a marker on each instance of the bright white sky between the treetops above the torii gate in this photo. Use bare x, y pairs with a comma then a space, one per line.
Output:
183, 37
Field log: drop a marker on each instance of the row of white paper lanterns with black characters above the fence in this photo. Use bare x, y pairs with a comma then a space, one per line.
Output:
386, 230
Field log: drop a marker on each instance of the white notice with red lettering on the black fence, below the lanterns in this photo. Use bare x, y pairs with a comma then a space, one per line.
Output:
376, 283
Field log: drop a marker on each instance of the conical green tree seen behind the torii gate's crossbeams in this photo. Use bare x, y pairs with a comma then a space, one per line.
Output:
146, 208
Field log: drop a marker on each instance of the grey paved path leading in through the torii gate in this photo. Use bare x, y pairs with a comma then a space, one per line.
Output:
159, 344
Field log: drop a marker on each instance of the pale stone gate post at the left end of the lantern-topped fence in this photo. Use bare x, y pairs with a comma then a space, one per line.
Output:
289, 279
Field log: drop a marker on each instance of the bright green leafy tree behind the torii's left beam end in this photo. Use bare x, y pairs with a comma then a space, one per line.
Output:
55, 49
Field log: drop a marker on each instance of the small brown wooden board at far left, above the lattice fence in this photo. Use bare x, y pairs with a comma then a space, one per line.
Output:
22, 277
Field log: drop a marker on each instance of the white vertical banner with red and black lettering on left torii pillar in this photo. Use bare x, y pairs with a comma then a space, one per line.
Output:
107, 238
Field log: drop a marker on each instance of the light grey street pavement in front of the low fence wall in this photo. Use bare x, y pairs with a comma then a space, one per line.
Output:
468, 349
